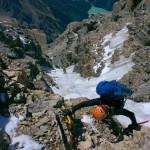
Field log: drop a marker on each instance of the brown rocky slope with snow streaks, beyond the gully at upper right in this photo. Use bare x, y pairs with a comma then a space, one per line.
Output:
82, 44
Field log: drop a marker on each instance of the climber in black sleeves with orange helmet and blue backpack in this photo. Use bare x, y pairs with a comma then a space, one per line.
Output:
111, 101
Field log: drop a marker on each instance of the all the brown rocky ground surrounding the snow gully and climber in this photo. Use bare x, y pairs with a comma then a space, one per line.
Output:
25, 87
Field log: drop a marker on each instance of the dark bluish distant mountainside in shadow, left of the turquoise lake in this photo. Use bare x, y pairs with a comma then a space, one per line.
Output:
51, 16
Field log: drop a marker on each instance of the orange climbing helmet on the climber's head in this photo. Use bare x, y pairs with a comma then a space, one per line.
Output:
101, 112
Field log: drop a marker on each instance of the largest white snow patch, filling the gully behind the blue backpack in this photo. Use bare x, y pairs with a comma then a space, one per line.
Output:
72, 85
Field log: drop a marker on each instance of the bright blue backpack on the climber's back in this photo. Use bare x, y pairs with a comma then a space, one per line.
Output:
112, 90
